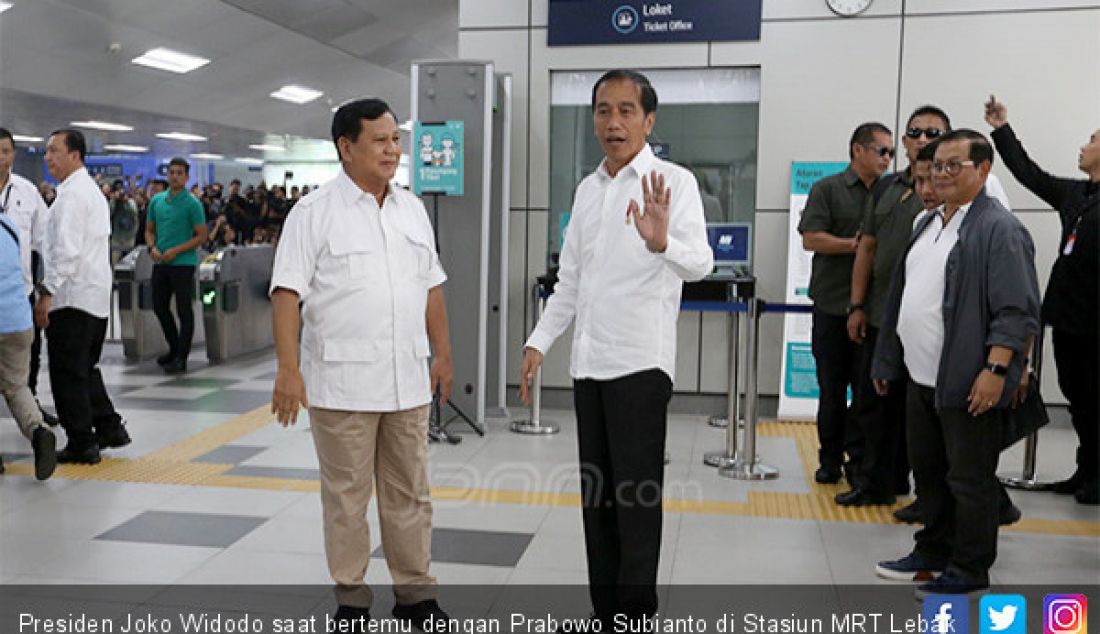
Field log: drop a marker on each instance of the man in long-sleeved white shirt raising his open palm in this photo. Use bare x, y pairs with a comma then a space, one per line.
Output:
622, 285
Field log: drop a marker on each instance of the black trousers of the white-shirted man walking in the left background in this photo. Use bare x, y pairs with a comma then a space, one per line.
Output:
76, 342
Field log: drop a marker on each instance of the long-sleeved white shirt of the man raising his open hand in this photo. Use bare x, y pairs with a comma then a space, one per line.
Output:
626, 300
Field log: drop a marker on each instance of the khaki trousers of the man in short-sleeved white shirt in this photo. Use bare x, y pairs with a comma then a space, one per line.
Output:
388, 450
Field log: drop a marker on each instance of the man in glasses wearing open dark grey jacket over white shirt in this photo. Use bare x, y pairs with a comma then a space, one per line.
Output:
962, 313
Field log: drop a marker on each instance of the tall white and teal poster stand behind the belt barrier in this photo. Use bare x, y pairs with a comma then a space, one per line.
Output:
798, 389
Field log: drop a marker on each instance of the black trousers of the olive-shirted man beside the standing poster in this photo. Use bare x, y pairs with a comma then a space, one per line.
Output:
838, 359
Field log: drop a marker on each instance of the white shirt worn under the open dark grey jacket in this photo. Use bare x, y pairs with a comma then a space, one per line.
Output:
921, 320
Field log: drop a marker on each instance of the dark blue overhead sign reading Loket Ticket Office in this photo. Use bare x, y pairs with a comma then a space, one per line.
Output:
574, 23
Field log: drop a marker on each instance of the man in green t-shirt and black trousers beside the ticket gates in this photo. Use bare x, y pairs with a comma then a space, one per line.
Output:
174, 229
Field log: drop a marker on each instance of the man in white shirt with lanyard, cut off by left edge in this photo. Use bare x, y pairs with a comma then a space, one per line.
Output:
21, 202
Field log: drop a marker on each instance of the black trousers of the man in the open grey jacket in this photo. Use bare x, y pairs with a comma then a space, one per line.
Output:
954, 457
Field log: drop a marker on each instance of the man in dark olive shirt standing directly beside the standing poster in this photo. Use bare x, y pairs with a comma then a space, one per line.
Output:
831, 228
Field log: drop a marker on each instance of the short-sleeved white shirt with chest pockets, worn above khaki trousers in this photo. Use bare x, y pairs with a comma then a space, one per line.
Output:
364, 276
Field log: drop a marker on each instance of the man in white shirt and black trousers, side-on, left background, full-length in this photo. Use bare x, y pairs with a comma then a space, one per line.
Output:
75, 301
